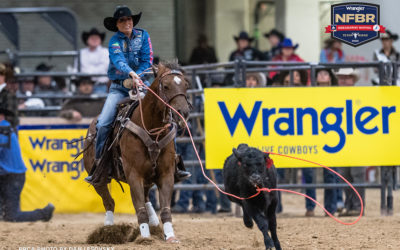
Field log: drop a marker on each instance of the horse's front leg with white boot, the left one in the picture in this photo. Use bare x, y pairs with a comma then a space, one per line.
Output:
138, 199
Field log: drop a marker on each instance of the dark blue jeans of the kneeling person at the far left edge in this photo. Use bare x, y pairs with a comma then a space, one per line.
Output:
10, 190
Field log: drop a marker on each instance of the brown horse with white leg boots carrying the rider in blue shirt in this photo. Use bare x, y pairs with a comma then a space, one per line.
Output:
141, 169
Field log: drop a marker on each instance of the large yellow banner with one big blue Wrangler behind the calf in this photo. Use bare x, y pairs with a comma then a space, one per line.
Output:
336, 126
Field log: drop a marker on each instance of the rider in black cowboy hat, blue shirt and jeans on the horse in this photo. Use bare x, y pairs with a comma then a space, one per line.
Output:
131, 54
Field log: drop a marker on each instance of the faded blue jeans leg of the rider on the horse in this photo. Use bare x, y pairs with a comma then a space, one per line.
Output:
108, 113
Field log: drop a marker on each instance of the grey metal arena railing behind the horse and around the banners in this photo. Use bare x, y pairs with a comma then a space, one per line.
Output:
239, 69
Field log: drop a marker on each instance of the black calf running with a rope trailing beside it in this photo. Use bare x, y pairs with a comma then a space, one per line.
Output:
245, 170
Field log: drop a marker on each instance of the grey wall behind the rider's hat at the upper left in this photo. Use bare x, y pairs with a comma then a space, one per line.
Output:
37, 35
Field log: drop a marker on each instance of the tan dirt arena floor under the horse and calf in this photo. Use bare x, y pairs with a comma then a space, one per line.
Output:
208, 231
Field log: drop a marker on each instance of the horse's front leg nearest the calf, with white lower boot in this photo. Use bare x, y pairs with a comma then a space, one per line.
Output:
165, 186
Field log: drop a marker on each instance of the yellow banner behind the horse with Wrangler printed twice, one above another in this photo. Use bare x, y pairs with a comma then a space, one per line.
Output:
53, 176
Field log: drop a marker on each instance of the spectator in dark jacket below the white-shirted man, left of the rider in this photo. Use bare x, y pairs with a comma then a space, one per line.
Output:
86, 106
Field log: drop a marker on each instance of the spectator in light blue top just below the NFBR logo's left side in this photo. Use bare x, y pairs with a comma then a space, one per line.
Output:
332, 52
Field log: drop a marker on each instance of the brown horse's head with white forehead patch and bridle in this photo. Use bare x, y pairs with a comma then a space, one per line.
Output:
172, 87
